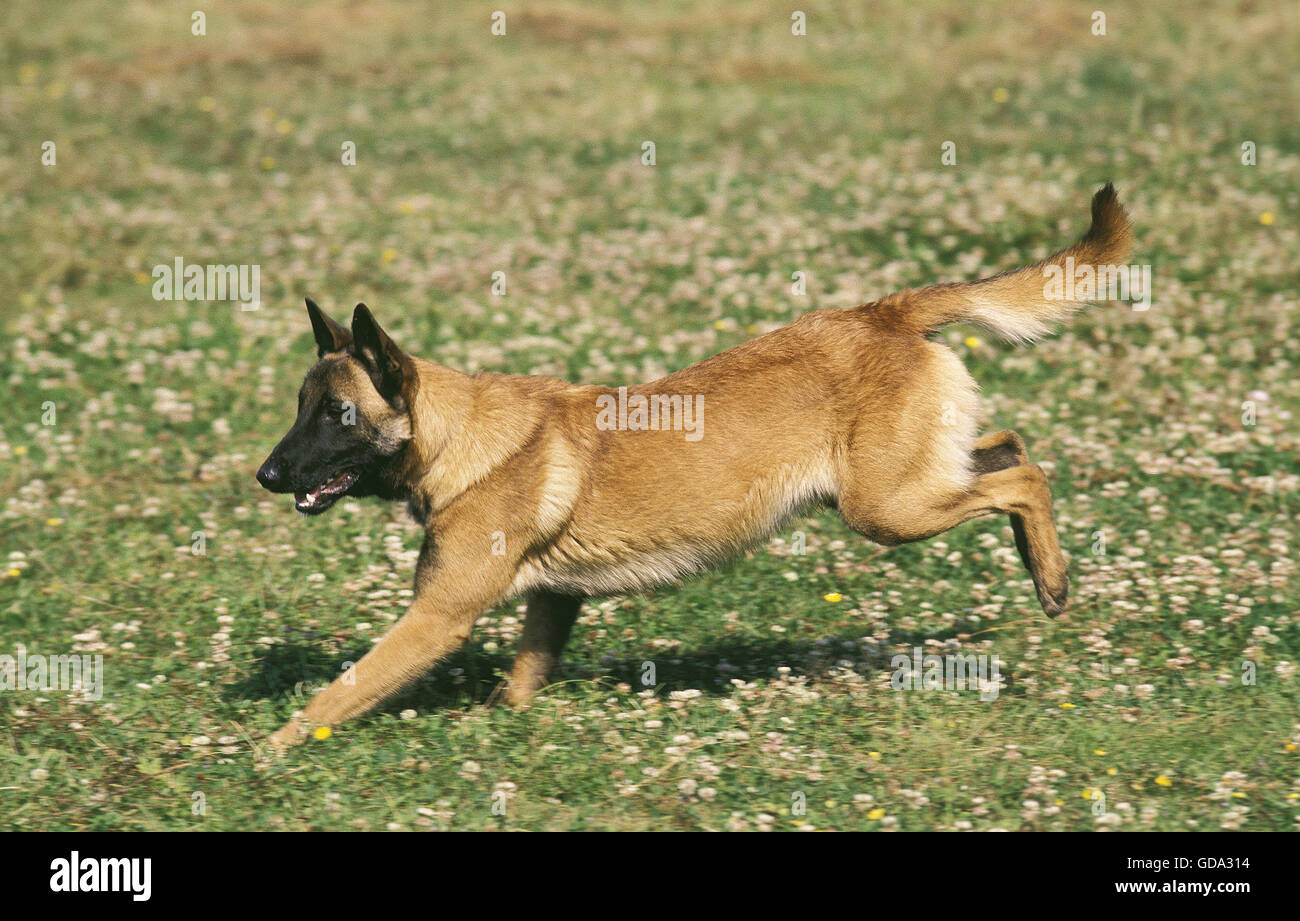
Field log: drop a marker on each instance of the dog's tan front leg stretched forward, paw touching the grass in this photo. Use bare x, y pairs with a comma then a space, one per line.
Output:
454, 586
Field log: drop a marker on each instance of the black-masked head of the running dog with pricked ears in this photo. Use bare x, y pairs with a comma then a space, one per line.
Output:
353, 417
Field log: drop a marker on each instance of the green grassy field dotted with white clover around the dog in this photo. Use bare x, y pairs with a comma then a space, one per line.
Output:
1165, 699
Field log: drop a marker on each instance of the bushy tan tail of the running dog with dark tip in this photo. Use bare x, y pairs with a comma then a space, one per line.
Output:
1024, 304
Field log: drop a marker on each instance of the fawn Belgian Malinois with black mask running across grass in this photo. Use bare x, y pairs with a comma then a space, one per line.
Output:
560, 492
